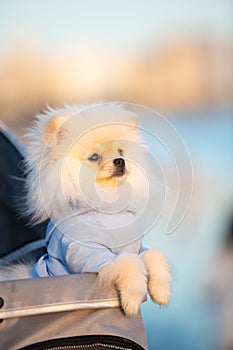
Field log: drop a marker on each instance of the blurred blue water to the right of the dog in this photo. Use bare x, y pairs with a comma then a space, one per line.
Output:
191, 319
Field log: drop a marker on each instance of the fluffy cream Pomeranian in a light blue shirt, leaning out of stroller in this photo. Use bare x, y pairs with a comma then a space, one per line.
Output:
85, 173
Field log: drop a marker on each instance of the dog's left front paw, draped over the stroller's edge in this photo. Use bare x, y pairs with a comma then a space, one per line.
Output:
127, 273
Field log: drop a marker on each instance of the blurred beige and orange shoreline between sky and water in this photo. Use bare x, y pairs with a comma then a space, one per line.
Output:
183, 76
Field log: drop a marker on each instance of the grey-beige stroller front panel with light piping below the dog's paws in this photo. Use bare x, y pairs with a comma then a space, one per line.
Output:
37, 310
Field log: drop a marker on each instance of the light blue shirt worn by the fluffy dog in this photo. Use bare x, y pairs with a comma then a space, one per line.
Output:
85, 242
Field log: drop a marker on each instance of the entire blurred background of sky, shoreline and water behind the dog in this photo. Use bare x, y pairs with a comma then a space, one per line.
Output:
175, 56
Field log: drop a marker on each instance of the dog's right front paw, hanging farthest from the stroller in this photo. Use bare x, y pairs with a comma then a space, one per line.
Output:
159, 277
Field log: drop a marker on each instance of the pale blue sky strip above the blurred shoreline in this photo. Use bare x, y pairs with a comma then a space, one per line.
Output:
115, 24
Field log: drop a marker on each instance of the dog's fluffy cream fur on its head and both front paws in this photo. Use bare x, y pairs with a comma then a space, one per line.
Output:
61, 145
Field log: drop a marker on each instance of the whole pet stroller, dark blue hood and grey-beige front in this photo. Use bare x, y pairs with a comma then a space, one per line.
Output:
70, 312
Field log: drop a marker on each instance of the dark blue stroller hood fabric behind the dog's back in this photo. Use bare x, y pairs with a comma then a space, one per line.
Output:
18, 238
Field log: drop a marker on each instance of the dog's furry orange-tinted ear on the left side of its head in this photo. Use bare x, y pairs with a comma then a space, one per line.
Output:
55, 130
